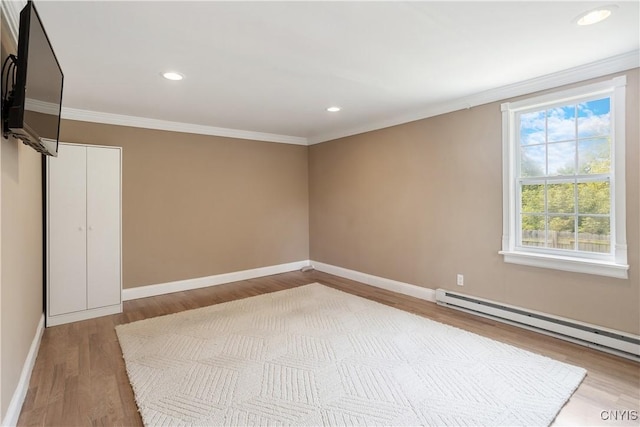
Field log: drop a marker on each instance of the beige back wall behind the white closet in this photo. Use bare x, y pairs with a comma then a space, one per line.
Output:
195, 206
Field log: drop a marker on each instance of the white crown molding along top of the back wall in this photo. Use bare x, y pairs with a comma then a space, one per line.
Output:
143, 122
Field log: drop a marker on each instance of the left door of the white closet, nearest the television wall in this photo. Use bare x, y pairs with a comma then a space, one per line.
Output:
67, 231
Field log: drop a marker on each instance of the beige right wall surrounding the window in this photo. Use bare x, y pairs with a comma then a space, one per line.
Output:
395, 203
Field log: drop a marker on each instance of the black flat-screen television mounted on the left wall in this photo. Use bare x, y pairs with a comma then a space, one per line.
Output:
31, 110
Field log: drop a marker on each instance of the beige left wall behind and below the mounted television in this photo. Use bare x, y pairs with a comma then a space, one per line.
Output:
21, 278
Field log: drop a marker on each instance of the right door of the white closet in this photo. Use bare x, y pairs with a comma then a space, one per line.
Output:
103, 223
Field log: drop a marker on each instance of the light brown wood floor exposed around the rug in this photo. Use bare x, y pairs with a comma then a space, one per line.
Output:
79, 378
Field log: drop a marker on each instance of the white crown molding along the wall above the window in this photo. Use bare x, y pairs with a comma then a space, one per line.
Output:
614, 64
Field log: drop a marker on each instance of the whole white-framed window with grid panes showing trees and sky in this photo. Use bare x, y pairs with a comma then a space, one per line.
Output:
564, 189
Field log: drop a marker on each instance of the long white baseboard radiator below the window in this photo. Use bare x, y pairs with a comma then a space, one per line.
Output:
616, 342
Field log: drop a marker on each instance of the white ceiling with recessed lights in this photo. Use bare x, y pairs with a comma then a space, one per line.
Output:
274, 67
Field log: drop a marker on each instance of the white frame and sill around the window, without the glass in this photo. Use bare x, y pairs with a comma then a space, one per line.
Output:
612, 265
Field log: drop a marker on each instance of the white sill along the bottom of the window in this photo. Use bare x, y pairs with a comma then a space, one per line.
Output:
576, 265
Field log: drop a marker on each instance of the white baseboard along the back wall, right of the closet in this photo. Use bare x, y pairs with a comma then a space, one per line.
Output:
203, 282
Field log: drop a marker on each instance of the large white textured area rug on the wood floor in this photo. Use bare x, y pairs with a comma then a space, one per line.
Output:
317, 356
